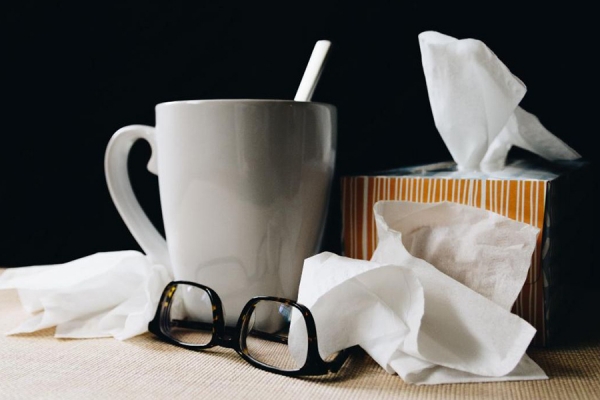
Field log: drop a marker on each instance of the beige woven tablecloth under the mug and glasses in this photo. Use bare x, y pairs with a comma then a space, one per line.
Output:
39, 366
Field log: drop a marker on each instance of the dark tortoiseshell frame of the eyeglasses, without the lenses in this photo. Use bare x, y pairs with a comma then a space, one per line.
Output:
235, 338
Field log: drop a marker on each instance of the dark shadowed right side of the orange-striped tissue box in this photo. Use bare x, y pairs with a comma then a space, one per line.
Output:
567, 261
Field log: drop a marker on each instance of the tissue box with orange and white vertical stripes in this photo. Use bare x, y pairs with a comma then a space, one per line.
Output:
555, 197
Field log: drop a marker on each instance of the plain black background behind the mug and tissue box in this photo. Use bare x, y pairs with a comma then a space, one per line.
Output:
74, 73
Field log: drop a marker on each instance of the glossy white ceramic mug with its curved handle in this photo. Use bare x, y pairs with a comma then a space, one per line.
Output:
244, 188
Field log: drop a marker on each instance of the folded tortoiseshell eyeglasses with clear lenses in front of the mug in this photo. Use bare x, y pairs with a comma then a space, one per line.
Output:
191, 315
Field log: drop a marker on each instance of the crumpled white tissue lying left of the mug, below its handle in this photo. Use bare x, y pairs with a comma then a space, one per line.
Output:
109, 294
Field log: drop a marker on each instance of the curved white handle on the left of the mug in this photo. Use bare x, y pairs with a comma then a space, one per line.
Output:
119, 186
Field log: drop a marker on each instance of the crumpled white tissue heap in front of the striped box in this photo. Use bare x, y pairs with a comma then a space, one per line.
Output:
447, 322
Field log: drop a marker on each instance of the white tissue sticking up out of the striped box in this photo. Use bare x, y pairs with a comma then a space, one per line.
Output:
475, 100
